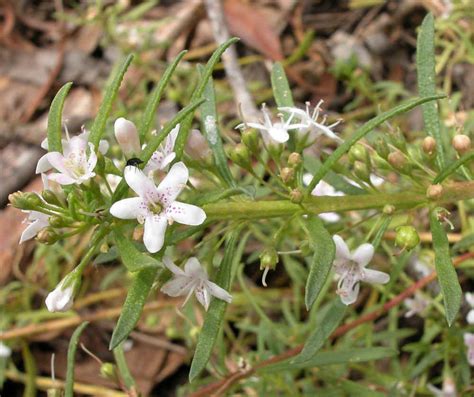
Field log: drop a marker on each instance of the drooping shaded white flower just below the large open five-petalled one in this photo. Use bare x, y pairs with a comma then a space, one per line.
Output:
193, 278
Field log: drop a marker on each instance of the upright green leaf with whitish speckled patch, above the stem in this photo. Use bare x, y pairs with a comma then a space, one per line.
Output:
211, 132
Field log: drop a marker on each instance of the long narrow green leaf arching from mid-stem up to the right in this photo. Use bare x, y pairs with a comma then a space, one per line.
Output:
361, 132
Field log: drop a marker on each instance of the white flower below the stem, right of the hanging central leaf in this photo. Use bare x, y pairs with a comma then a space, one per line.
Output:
351, 267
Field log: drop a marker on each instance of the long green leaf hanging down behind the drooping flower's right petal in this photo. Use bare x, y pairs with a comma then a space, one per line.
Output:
214, 319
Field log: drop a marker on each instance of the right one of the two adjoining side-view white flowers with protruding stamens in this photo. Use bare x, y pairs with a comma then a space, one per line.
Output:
310, 121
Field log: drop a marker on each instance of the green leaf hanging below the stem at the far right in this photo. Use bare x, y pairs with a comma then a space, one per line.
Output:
447, 277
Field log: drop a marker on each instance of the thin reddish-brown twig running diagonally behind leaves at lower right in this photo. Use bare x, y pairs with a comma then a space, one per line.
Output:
219, 387
